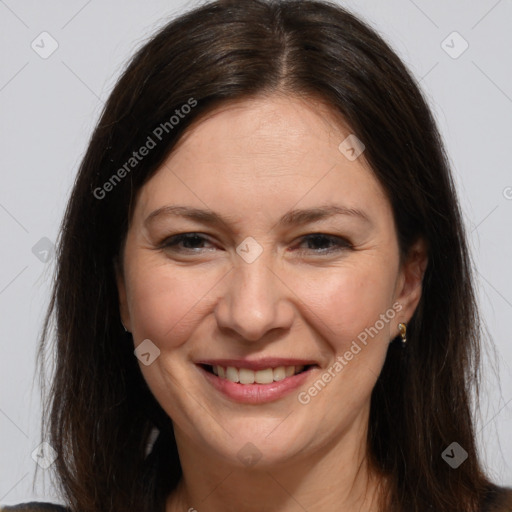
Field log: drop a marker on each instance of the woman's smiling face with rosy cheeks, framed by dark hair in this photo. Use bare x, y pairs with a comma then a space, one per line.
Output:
295, 281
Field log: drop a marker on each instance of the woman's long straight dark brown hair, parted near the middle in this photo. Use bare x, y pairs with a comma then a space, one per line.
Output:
100, 411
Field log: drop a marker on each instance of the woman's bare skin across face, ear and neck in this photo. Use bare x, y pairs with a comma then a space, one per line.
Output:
252, 161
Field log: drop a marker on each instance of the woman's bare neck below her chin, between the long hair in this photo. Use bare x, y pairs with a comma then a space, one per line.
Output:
335, 477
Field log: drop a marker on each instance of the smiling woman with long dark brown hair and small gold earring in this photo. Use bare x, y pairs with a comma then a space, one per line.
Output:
263, 262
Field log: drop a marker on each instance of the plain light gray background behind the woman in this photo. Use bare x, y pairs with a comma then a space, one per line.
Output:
49, 107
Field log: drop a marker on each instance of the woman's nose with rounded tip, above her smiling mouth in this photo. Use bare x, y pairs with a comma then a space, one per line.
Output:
255, 301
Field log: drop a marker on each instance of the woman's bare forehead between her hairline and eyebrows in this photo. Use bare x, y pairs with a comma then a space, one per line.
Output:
263, 155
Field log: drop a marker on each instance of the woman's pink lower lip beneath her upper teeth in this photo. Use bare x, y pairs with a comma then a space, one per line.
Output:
256, 393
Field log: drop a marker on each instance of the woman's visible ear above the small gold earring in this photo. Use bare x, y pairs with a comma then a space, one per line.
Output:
410, 279
